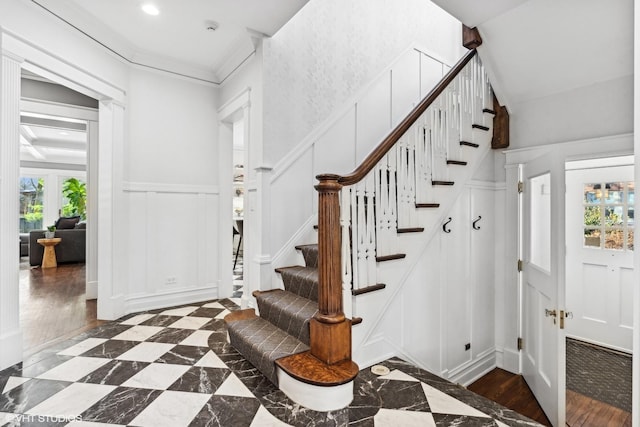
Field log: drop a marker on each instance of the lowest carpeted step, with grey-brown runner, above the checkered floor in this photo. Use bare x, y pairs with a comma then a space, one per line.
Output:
262, 343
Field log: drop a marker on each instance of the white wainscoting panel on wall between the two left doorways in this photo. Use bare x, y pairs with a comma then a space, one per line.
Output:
172, 244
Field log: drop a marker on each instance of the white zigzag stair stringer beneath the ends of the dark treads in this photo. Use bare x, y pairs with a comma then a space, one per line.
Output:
369, 343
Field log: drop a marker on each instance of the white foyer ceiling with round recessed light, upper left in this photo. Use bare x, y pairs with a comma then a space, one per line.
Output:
177, 40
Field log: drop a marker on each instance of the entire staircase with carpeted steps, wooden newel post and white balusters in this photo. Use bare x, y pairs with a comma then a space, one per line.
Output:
302, 338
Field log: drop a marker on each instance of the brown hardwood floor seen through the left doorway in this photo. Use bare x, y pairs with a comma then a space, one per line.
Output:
53, 305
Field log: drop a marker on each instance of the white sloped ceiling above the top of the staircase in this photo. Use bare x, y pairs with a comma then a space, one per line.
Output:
536, 48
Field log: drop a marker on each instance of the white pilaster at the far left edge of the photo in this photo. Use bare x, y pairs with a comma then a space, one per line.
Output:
10, 333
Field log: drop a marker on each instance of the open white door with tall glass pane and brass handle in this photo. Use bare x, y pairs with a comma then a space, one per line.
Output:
540, 314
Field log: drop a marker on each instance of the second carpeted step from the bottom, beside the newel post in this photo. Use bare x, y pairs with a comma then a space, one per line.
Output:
287, 311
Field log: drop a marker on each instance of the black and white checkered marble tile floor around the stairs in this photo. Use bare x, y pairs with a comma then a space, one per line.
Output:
174, 368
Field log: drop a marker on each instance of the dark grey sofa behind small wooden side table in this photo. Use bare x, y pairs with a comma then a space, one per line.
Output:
72, 247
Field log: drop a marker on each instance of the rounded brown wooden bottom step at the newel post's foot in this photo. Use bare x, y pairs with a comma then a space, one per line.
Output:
306, 368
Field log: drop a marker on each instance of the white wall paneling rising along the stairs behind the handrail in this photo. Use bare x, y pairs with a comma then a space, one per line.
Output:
342, 141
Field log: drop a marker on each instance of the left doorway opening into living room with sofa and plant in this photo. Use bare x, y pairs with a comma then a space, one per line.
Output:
57, 284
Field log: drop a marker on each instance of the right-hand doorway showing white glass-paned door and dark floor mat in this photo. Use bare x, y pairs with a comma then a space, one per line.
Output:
599, 225
